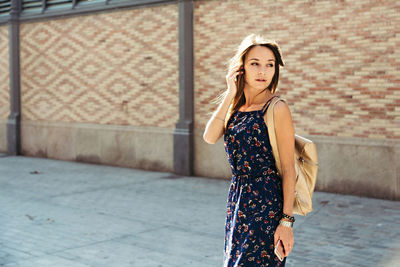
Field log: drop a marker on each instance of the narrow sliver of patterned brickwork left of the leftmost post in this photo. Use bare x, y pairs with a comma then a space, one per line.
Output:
4, 74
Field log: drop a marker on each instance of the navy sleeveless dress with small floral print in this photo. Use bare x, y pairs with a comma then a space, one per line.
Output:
255, 198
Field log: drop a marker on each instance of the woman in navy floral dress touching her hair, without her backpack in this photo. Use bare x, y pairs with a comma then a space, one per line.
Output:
260, 202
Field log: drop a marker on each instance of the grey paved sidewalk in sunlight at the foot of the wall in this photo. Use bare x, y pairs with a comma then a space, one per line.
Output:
55, 213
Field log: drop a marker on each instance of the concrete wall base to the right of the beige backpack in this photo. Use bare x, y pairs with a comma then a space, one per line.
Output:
358, 169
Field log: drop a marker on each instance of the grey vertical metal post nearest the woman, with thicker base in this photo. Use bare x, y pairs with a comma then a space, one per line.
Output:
183, 135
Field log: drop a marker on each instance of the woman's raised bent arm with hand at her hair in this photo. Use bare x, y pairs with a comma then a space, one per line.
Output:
215, 126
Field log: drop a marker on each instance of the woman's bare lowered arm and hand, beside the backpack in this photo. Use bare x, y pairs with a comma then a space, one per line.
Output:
284, 132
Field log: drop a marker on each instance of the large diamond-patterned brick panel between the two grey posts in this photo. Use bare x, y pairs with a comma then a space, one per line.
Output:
118, 67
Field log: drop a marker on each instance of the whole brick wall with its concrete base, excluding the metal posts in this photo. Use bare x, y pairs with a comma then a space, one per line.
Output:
83, 77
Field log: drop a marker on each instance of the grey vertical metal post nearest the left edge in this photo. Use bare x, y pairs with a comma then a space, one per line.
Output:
14, 119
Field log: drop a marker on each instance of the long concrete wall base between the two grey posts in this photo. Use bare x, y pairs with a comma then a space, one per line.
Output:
137, 147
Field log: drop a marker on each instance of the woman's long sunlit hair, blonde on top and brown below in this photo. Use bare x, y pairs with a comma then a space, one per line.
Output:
238, 59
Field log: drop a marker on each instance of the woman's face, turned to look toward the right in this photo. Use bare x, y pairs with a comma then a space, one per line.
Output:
259, 67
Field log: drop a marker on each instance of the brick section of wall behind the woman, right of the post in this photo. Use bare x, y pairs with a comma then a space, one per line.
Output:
342, 73
